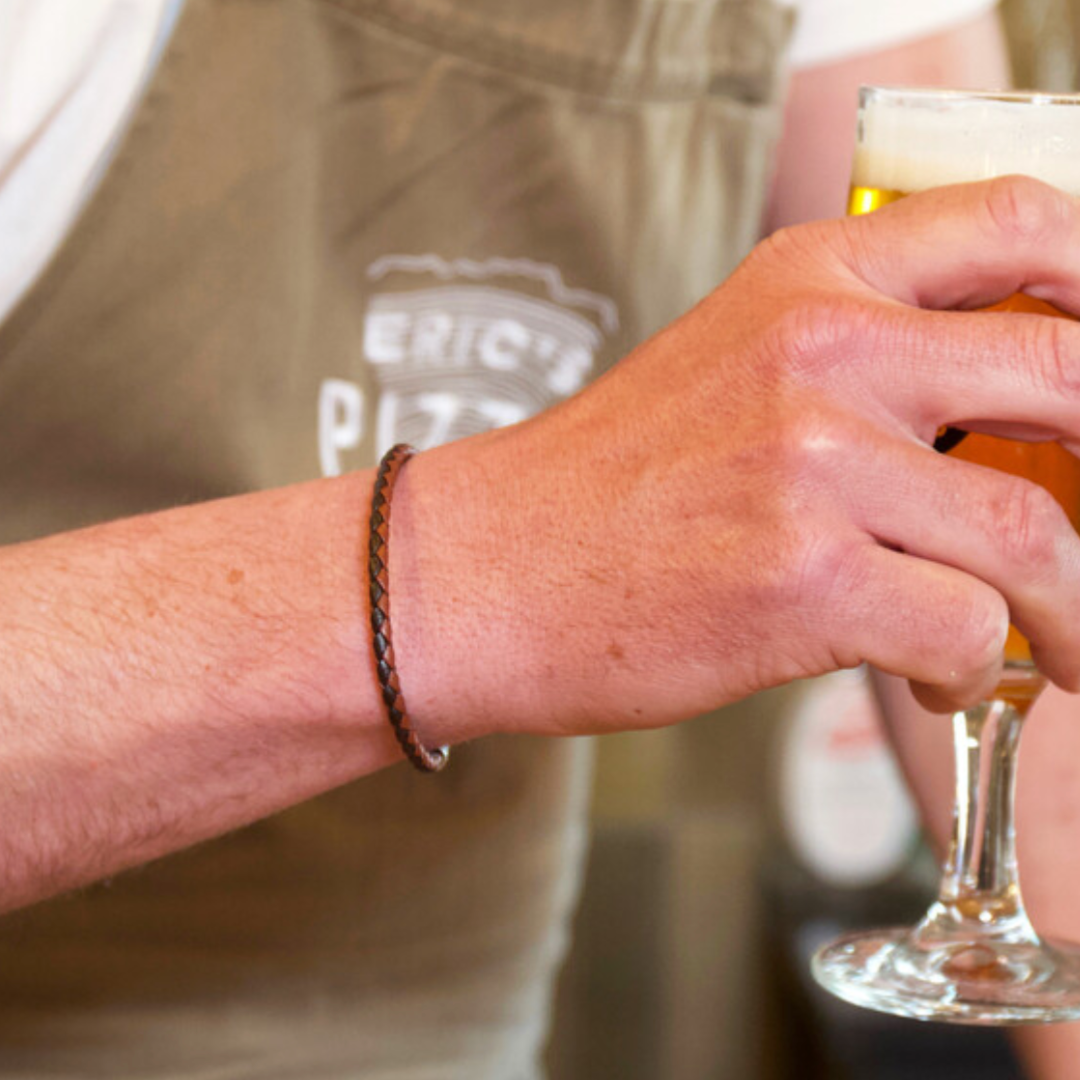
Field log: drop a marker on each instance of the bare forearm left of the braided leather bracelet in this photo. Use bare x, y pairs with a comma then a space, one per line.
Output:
167, 679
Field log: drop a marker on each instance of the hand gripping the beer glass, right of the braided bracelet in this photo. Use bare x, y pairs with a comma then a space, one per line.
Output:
752, 496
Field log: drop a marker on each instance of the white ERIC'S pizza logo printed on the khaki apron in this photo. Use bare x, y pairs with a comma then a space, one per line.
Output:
464, 353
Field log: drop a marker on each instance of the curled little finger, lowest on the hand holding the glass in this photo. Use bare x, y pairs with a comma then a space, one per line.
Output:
940, 628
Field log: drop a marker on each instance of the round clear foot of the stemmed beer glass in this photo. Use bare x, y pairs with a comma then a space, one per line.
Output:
996, 982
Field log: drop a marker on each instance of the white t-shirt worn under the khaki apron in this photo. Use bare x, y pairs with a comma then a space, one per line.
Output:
71, 72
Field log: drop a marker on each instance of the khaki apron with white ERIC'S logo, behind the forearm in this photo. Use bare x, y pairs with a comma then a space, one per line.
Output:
333, 224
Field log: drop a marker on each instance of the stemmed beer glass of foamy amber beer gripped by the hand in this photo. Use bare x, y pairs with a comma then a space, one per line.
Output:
976, 957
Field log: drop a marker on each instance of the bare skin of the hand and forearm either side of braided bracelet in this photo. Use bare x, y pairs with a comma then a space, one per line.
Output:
752, 484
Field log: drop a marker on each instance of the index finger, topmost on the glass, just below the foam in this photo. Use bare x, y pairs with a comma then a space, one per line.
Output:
974, 245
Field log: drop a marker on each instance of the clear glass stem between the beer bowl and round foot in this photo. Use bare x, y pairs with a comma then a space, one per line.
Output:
980, 887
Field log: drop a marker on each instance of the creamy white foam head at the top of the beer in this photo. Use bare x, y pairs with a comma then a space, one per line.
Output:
923, 141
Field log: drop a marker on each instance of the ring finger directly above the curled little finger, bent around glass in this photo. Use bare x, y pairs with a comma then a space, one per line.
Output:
1005, 531
